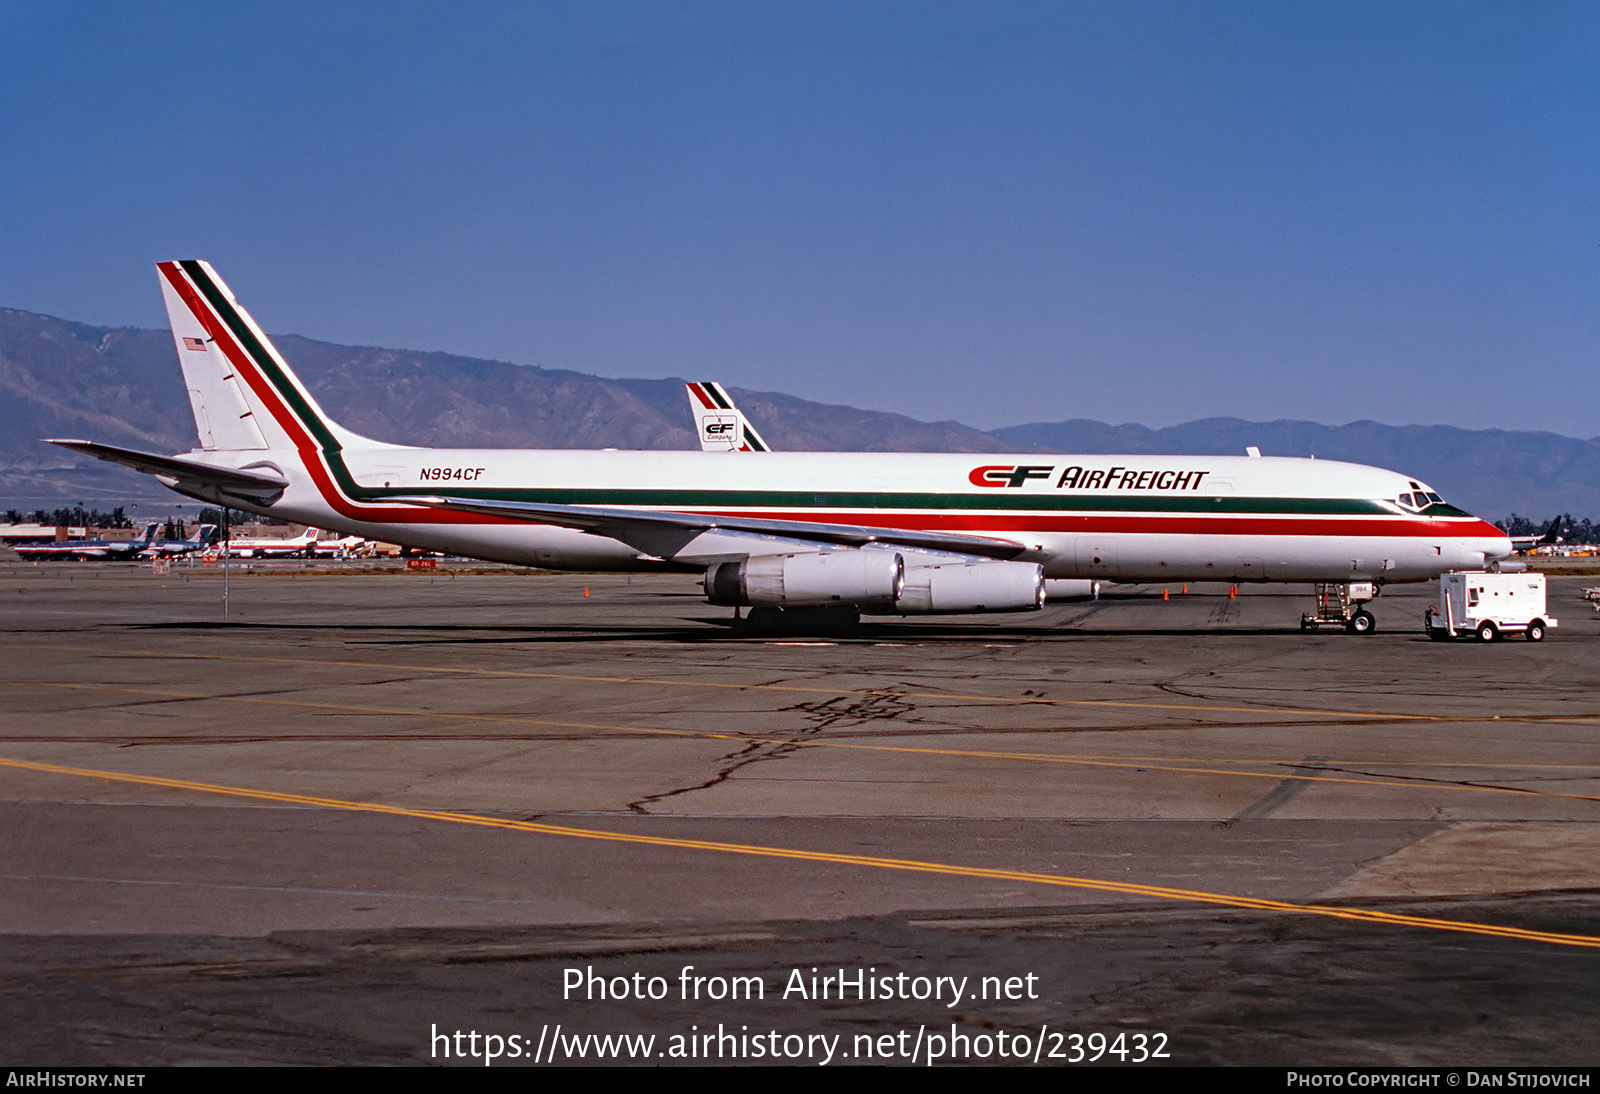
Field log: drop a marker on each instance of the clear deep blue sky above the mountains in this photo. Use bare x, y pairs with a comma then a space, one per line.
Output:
993, 214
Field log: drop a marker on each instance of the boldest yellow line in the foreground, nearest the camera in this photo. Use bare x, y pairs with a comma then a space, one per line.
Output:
988, 874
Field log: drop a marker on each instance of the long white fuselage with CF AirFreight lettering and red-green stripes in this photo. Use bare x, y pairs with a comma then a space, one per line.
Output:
1137, 519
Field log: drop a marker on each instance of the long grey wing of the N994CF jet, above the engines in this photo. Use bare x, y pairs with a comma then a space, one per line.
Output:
665, 533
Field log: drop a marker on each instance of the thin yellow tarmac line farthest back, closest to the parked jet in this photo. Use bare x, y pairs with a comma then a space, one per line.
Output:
1041, 701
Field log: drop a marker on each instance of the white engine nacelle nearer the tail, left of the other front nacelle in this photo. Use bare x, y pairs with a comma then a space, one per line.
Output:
852, 577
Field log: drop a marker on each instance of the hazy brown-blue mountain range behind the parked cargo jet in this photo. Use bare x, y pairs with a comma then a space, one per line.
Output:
122, 386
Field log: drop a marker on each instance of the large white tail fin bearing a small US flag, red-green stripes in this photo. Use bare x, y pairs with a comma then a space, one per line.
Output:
242, 393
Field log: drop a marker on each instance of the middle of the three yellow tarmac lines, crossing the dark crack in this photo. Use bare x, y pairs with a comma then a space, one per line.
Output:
702, 735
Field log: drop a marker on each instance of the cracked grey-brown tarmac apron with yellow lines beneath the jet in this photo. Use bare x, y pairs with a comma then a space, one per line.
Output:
367, 810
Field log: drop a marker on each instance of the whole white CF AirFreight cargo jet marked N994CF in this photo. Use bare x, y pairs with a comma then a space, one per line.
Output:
873, 532
